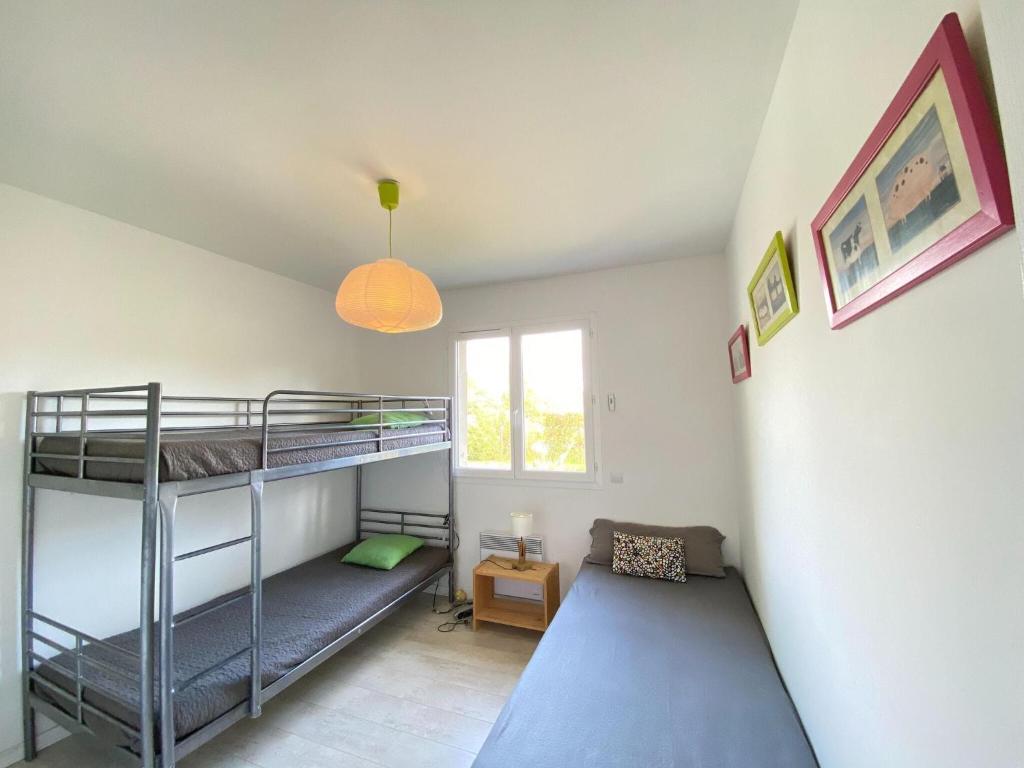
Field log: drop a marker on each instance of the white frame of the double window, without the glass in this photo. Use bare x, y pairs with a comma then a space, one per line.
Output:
519, 473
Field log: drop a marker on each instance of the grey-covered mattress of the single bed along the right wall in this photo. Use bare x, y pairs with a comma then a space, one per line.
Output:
635, 672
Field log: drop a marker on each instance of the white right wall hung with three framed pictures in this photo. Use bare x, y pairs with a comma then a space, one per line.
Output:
882, 533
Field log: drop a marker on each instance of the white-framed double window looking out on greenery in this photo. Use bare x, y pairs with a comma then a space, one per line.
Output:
525, 404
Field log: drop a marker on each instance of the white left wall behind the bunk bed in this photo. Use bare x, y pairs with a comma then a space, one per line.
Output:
89, 302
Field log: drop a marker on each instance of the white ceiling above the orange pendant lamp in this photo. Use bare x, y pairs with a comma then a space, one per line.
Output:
530, 139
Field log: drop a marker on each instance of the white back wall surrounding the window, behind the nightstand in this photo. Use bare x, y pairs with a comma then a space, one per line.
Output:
660, 348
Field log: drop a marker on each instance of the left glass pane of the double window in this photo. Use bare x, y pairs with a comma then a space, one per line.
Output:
486, 442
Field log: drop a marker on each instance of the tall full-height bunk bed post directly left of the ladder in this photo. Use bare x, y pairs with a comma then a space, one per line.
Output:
151, 504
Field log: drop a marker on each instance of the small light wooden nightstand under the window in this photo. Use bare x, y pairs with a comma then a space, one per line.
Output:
529, 615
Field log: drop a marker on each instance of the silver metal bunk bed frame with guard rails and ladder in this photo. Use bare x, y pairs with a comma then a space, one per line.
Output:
77, 413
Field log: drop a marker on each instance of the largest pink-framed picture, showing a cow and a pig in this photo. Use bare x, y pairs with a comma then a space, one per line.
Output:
928, 188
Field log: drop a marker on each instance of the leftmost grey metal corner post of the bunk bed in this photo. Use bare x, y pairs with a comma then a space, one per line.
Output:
28, 557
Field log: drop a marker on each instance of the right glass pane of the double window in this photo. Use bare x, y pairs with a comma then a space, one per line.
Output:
553, 402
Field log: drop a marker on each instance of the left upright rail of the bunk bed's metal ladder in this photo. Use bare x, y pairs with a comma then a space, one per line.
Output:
168, 507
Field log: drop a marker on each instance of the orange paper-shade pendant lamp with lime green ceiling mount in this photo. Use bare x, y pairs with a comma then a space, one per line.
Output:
389, 295
